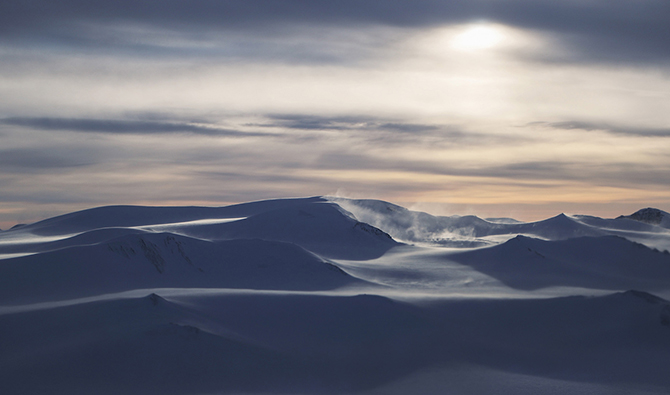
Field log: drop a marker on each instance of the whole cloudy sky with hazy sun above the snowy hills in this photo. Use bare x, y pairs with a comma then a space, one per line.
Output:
516, 108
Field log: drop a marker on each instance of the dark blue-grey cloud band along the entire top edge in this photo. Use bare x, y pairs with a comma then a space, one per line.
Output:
629, 31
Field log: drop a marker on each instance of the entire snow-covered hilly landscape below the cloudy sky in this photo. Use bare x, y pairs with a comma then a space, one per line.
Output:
333, 296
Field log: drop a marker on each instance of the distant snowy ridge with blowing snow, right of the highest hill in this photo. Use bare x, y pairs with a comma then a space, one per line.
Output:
471, 231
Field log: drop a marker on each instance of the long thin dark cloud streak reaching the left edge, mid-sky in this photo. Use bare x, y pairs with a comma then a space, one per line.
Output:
123, 126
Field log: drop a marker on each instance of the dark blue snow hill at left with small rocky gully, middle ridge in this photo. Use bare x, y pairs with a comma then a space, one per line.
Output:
162, 260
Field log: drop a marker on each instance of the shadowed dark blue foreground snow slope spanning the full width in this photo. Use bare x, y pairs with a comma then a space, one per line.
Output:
308, 343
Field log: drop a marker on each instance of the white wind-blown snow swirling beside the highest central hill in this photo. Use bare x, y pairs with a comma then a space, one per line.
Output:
417, 227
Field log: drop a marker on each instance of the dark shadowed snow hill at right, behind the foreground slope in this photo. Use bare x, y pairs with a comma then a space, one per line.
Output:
608, 262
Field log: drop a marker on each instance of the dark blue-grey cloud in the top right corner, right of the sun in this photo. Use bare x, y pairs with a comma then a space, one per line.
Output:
621, 31
